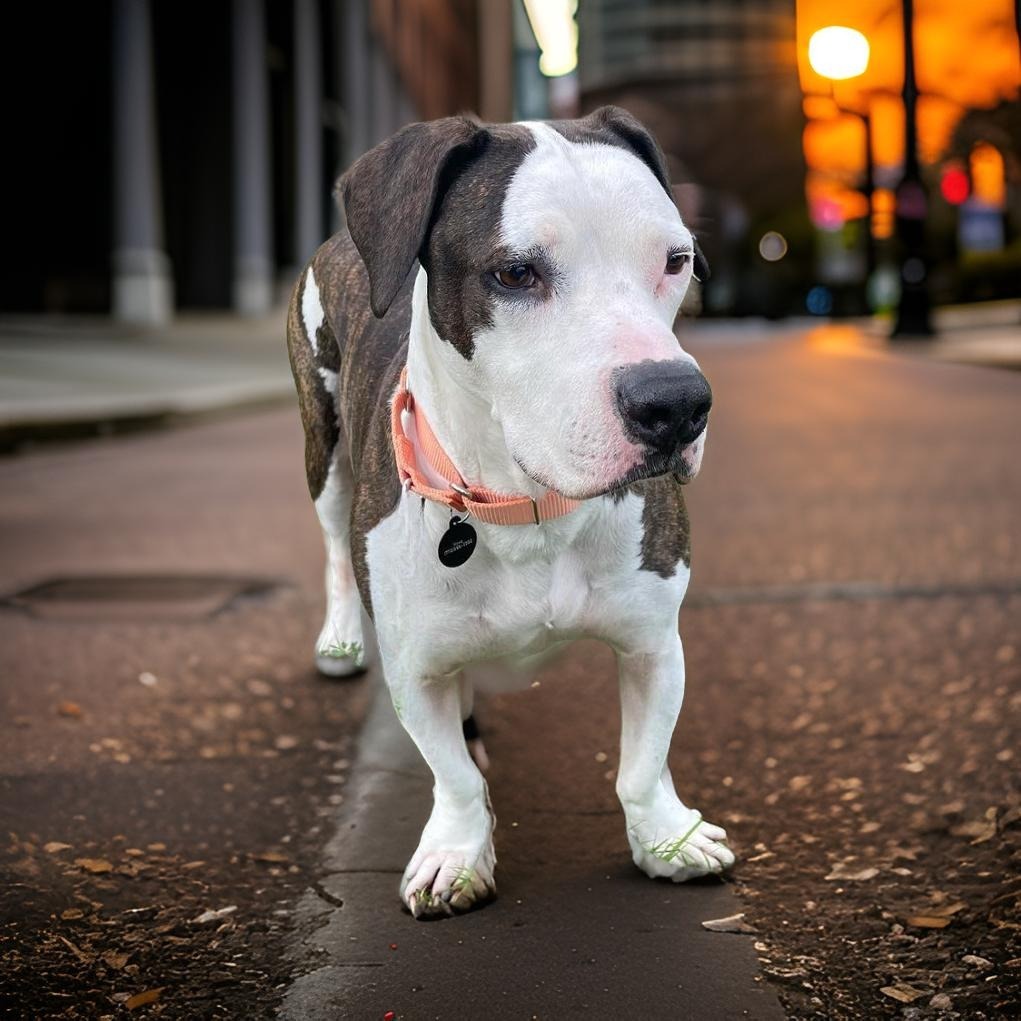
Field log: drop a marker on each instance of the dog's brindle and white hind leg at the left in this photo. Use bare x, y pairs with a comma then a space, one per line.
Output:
316, 362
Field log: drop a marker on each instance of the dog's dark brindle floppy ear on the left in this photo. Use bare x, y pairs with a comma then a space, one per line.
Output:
392, 193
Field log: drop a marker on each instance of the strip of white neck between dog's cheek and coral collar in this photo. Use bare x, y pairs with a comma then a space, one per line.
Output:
446, 390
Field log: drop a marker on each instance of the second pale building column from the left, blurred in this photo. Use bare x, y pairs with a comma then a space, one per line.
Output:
253, 209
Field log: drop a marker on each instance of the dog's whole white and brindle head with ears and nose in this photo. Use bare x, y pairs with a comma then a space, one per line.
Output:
557, 262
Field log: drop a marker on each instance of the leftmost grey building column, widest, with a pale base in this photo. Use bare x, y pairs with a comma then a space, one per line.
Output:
143, 286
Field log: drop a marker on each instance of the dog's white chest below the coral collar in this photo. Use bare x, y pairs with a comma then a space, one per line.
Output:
521, 592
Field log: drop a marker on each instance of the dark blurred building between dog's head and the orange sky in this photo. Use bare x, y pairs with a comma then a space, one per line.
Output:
718, 84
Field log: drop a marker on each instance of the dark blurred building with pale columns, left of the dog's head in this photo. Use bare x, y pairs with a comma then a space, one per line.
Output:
182, 156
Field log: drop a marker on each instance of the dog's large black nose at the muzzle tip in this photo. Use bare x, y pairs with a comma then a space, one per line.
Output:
665, 405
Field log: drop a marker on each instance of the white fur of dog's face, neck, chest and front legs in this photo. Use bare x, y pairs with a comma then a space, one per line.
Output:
539, 391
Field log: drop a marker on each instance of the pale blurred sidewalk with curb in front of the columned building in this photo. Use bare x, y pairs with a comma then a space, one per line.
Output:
67, 377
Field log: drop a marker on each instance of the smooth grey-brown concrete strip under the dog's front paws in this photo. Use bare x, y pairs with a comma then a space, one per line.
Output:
576, 933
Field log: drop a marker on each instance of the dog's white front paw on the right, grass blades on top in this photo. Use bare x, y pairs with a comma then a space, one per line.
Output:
685, 849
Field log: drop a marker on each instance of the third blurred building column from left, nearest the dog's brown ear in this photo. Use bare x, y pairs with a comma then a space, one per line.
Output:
309, 132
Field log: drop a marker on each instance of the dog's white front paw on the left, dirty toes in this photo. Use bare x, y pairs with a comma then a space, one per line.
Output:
446, 882
